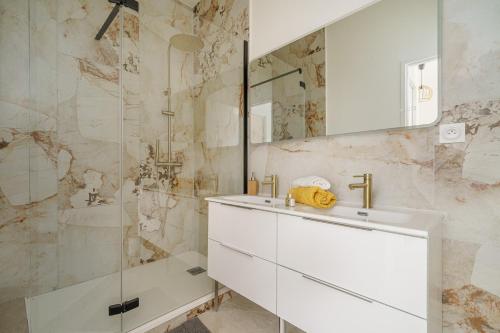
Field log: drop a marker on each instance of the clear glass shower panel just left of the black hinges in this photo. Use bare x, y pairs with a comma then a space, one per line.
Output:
75, 141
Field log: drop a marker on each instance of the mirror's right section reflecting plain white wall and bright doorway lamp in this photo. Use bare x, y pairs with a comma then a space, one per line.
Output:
369, 54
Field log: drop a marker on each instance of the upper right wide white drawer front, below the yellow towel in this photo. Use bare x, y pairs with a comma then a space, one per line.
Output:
389, 268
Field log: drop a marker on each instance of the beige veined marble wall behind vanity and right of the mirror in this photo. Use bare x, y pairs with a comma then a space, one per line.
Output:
412, 169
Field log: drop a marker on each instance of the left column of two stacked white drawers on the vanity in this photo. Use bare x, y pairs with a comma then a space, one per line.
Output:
242, 252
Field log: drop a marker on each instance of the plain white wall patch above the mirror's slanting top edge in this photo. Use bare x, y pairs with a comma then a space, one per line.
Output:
275, 23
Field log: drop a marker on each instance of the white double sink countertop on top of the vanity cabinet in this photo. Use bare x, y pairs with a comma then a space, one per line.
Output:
412, 222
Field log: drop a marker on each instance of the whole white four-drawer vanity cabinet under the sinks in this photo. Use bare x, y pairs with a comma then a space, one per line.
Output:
326, 274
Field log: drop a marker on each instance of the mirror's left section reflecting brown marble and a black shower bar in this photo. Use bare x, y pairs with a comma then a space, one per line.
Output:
287, 95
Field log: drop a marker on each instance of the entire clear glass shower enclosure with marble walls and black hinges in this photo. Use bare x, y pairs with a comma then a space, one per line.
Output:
109, 144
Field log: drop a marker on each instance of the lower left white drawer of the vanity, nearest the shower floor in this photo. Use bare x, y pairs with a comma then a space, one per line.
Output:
252, 277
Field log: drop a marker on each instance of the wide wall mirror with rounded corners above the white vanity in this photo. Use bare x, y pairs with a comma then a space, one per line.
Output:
375, 69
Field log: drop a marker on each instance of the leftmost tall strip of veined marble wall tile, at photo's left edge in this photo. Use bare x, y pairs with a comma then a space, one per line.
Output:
28, 160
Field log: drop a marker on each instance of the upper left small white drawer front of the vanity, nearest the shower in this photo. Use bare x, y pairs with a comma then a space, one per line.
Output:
250, 230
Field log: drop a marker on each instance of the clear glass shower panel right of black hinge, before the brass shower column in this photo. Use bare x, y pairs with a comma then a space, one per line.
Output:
182, 133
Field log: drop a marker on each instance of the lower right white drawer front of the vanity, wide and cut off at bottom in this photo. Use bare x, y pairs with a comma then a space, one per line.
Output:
318, 308
